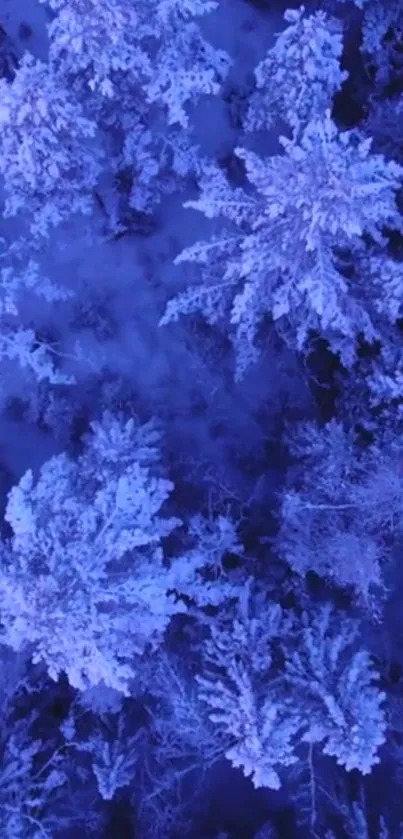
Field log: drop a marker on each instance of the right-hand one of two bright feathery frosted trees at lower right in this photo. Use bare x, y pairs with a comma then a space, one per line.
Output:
334, 684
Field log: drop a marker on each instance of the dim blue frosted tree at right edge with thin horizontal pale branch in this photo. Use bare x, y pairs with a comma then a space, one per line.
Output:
341, 510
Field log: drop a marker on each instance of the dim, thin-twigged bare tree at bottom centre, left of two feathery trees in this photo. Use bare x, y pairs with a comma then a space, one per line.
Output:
180, 745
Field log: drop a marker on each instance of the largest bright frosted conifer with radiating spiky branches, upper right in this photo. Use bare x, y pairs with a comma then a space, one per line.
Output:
279, 254
